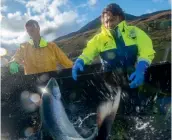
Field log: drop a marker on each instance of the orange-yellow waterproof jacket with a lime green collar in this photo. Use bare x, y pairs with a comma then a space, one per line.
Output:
42, 59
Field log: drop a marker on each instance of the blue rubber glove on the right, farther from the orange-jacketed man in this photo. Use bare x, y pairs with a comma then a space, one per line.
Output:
137, 77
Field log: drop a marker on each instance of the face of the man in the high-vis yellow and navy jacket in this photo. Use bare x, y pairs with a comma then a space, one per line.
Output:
110, 21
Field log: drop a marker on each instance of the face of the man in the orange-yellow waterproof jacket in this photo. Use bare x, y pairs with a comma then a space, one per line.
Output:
33, 31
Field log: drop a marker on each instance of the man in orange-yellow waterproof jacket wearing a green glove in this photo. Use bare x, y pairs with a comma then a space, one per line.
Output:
37, 55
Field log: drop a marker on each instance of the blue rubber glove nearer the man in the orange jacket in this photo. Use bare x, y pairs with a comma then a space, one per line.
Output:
79, 65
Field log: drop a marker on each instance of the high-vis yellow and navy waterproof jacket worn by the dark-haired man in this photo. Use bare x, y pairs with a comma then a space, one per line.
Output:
133, 45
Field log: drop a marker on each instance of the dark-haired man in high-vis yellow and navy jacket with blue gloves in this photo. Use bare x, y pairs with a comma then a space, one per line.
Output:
118, 45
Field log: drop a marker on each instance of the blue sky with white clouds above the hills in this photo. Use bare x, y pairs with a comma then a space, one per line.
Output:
60, 17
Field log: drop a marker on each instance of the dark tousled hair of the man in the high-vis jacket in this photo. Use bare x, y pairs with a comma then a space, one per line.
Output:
115, 9
